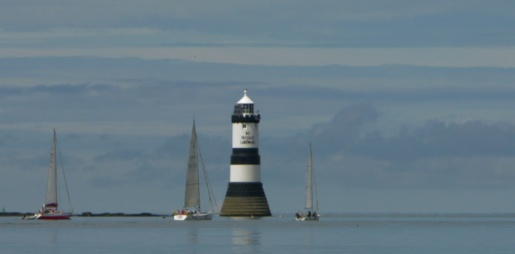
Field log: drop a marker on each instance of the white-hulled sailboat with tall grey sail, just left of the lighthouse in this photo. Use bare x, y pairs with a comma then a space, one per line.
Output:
192, 209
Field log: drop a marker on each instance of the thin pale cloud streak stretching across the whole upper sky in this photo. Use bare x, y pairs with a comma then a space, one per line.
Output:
289, 56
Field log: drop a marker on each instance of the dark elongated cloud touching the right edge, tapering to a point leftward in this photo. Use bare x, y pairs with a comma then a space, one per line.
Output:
438, 139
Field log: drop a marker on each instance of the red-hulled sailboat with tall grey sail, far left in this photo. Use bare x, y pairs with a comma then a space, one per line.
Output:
50, 211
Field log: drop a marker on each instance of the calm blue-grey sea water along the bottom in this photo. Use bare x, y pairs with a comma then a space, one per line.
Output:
334, 233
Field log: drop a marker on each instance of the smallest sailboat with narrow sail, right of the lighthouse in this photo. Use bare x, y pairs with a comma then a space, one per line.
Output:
311, 193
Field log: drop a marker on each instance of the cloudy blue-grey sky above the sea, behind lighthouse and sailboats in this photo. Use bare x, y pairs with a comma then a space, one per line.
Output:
408, 104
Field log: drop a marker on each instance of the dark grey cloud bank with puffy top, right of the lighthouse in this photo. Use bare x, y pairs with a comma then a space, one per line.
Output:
351, 153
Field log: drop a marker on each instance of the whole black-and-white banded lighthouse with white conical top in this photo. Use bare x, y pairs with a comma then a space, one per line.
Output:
245, 195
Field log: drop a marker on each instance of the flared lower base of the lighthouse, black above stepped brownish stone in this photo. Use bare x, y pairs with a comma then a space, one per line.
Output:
245, 200
